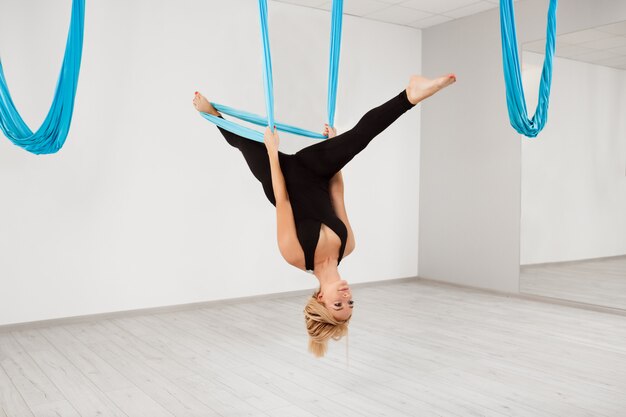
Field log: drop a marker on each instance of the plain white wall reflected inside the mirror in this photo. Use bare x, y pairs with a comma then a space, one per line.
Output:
574, 177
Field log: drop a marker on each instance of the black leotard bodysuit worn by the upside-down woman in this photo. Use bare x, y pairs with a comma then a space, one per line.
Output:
307, 173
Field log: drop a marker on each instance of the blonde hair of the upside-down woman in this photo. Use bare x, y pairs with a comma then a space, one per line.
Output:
321, 326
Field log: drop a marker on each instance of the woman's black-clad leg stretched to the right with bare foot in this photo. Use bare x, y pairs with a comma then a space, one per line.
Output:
330, 156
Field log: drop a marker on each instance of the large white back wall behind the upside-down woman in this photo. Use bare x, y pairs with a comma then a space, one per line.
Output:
147, 205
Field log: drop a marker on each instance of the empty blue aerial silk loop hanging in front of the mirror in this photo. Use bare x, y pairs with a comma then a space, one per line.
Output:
516, 102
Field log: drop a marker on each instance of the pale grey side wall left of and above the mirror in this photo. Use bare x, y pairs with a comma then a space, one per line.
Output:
470, 158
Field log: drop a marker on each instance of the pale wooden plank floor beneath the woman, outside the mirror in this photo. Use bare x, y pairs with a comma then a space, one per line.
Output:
416, 349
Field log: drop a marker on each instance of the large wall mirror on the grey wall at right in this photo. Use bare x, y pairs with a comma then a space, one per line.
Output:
573, 214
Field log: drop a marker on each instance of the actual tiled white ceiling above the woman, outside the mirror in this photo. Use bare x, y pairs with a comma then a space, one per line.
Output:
414, 13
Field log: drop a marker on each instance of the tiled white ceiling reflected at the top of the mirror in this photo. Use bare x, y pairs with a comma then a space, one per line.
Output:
602, 45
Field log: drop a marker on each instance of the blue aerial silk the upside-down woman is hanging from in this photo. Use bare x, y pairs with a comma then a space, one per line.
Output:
268, 120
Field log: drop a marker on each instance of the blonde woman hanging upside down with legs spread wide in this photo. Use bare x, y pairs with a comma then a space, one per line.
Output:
314, 232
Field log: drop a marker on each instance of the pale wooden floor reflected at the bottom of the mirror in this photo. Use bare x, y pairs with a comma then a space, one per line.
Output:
596, 281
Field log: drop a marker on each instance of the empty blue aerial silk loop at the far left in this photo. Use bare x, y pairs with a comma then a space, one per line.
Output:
51, 135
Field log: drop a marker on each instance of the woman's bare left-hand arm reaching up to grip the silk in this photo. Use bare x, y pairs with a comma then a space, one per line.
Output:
287, 237
